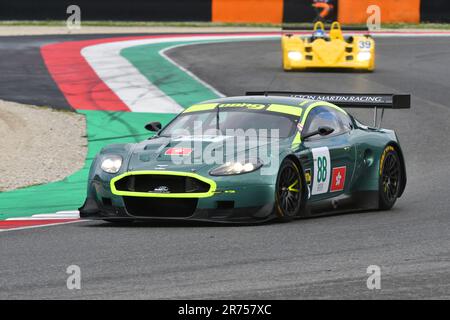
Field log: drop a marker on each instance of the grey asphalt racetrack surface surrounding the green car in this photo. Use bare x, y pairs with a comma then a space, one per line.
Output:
313, 258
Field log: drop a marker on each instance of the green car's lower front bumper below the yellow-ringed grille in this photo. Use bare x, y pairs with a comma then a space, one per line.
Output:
241, 204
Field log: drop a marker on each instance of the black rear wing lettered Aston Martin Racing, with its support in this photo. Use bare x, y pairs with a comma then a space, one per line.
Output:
349, 100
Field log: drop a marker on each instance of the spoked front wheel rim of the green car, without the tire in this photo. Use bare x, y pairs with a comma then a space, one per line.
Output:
289, 190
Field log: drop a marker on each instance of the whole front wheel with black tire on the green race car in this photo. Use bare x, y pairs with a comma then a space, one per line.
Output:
288, 191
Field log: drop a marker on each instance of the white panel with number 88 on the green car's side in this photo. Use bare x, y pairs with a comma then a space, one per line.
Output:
322, 168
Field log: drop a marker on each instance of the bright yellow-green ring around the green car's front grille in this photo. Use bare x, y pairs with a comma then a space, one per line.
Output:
210, 193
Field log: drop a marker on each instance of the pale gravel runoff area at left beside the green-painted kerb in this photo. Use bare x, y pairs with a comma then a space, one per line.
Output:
39, 145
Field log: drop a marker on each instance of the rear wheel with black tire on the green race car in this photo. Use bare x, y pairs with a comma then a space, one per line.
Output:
390, 178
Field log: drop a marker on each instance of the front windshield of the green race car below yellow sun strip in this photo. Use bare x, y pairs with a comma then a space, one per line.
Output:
198, 123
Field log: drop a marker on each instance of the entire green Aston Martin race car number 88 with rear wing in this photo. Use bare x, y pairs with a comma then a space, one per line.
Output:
251, 159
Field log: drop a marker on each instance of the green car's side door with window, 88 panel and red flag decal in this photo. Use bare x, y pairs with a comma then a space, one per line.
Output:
330, 159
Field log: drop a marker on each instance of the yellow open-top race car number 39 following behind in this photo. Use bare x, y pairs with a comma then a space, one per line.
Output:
333, 50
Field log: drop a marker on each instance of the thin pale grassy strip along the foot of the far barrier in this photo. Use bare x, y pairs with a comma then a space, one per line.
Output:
58, 23
